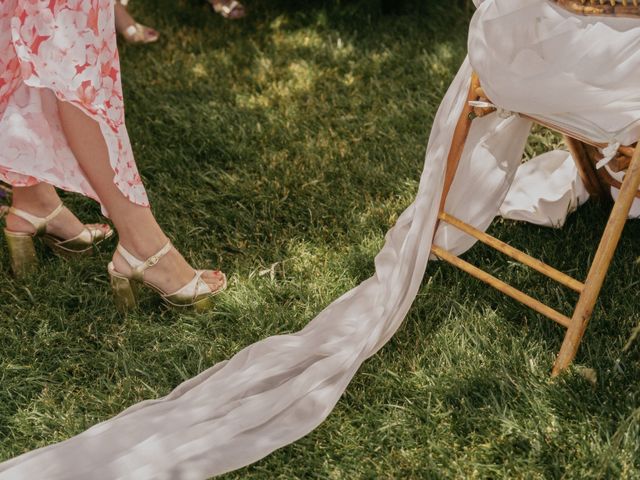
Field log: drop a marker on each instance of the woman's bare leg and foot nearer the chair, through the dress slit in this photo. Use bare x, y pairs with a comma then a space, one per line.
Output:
136, 226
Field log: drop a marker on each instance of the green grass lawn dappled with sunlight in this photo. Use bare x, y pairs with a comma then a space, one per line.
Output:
281, 148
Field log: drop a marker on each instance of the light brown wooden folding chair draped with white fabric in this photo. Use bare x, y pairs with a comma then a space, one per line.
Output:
597, 182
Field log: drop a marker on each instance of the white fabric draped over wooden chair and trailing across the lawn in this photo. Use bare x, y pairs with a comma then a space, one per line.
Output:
531, 58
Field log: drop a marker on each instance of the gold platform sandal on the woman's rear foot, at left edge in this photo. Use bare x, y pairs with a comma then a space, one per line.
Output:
21, 247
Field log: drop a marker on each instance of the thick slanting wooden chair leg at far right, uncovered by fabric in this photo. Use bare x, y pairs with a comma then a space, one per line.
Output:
600, 265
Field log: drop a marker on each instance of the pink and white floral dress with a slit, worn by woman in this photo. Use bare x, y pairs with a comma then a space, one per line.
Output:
64, 49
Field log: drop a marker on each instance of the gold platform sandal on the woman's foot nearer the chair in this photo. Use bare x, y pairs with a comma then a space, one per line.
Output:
195, 293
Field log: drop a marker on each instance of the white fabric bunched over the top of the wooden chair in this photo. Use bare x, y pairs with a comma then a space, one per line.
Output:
579, 72
